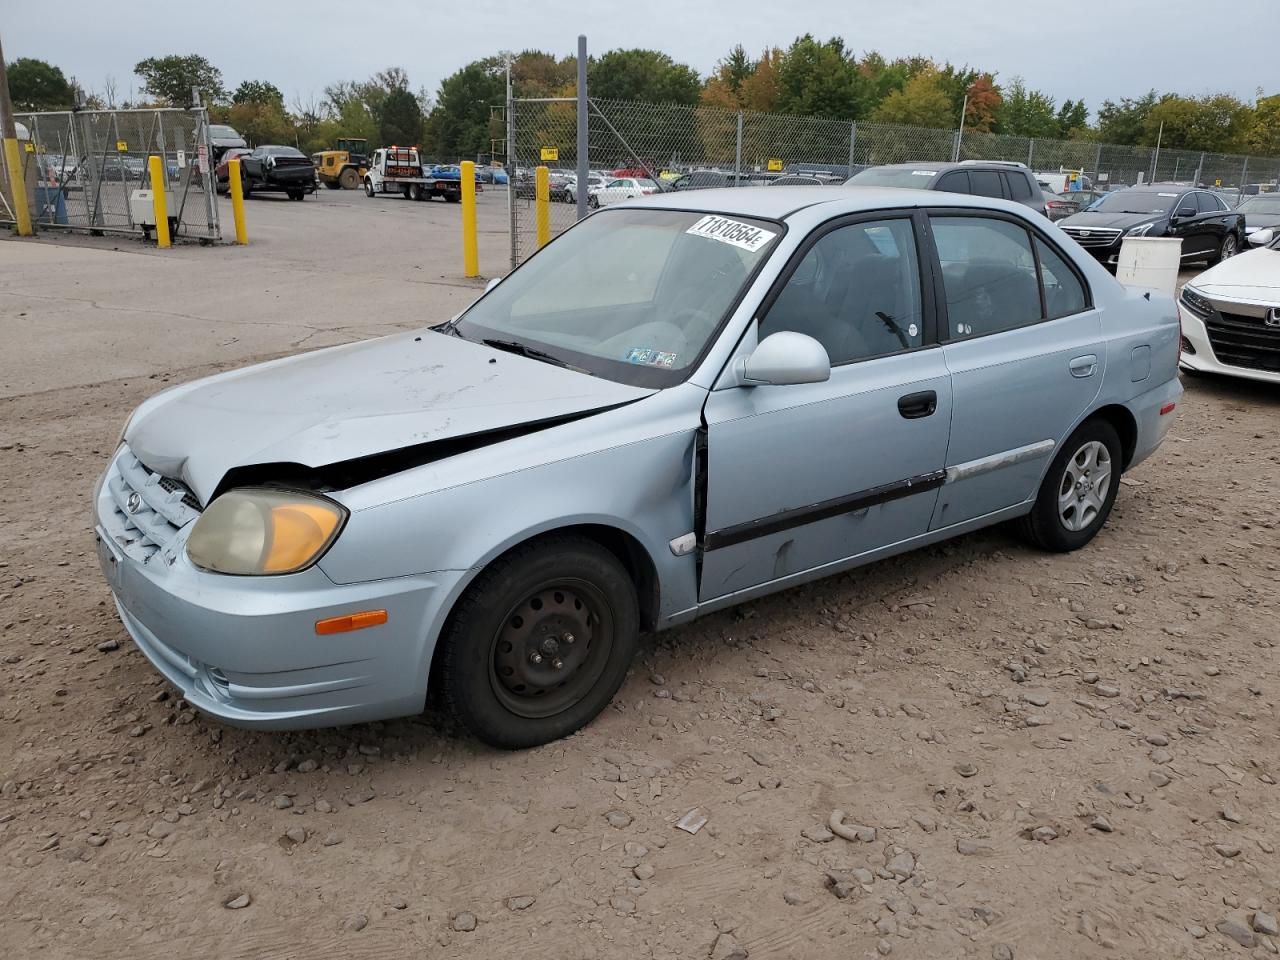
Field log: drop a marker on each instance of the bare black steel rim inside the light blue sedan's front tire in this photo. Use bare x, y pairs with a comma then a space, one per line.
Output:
552, 648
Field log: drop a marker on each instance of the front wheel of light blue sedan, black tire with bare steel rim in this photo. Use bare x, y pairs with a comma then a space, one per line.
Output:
541, 643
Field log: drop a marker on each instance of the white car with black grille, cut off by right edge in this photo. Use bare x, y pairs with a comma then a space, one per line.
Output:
1232, 314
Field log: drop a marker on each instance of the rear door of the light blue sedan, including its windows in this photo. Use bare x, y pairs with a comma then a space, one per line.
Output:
1025, 349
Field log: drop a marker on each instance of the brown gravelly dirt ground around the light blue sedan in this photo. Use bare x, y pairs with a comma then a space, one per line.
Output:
1039, 757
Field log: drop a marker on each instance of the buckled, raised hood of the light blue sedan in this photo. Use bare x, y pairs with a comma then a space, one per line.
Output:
355, 401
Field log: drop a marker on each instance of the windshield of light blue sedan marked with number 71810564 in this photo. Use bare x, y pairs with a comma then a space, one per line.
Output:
634, 296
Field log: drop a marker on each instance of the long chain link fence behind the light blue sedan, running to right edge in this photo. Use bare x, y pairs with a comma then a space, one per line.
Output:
725, 148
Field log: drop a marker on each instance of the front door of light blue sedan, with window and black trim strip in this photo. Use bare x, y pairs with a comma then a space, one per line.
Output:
808, 476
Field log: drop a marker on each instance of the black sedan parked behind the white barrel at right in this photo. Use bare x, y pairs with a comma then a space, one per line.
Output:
1209, 228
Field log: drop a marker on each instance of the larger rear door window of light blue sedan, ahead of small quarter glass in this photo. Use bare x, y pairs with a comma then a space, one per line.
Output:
989, 275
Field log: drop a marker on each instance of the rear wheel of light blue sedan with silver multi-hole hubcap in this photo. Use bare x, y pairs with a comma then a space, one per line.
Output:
1078, 492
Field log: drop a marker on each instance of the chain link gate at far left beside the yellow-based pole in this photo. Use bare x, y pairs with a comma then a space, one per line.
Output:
83, 170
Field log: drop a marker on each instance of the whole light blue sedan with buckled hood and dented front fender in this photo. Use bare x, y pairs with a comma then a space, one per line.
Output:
679, 405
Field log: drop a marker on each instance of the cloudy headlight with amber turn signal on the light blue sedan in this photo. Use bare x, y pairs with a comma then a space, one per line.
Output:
258, 532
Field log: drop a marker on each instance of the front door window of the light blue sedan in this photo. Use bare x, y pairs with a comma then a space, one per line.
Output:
857, 292
